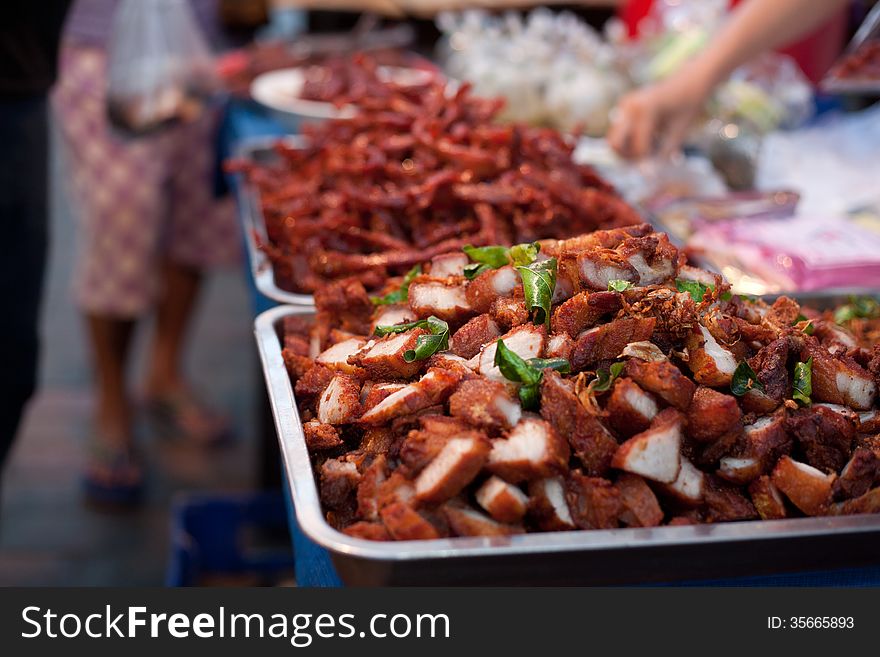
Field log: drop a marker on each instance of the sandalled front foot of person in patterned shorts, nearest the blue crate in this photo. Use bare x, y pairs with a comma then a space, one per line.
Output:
114, 477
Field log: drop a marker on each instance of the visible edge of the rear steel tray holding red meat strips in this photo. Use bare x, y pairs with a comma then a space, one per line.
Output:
251, 213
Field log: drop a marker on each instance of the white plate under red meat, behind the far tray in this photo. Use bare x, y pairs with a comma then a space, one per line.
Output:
280, 91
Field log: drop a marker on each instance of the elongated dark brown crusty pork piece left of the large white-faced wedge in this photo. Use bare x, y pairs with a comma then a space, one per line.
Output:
590, 441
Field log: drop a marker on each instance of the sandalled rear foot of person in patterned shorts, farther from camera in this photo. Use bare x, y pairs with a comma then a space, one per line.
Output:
182, 415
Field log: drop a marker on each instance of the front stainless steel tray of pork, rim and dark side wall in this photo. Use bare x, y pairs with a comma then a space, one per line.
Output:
620, 556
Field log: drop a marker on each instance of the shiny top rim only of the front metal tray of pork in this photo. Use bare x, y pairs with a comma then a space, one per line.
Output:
307, 505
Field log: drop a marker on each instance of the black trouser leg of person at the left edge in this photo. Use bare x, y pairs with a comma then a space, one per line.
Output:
23, 217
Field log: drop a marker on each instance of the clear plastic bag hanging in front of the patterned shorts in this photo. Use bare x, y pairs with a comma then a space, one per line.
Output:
160, 68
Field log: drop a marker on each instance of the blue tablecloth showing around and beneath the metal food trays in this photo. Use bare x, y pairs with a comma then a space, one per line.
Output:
313, 564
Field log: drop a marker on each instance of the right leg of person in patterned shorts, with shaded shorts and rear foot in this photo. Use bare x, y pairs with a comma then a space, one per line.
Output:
202, 235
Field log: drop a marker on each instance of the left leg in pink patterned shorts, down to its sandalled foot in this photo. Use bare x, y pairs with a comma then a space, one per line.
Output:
119, 186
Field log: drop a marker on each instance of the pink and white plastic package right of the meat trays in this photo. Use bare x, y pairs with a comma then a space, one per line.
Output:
793, 254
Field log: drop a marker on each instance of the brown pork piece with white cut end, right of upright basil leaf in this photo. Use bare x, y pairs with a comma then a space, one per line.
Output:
839, 380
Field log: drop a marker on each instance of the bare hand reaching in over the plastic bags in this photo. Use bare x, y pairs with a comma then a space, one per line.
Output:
656, 118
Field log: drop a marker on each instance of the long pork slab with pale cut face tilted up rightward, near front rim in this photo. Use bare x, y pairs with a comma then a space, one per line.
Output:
454, 467
